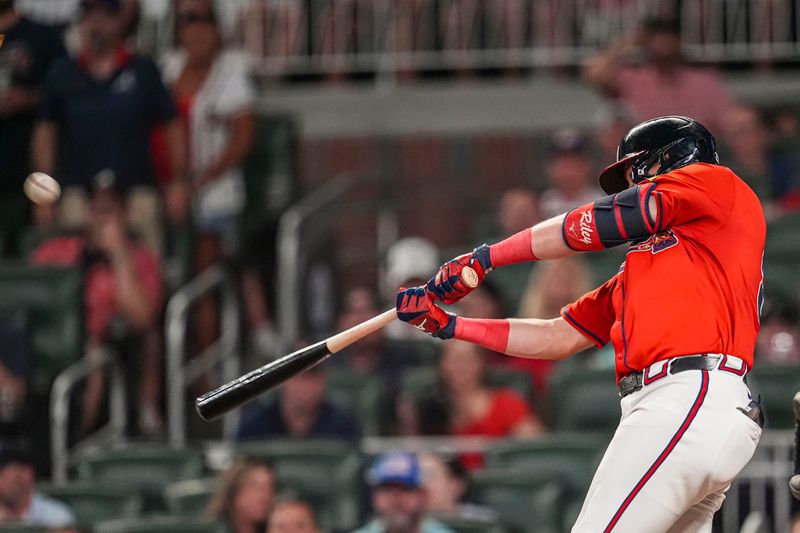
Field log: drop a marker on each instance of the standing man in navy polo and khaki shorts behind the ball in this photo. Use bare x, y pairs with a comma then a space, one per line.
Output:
97, 115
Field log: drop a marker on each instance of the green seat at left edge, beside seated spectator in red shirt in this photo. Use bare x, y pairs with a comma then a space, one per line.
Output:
52, 300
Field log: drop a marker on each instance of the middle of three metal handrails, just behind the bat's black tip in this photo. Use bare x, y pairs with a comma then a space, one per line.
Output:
225, 349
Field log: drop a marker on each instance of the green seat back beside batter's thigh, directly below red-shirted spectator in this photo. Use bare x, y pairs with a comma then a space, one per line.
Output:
573, 456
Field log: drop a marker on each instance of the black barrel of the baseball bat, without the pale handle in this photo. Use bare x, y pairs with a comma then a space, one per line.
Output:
221, 400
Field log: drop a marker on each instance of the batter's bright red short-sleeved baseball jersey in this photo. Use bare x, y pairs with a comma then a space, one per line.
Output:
693, 287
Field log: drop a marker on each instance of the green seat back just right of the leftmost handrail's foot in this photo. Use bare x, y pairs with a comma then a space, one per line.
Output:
148, 468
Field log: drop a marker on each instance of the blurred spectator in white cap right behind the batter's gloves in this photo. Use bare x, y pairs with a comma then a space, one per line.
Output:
410, 261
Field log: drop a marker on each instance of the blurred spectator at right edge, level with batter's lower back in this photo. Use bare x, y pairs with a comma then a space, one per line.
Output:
778, 341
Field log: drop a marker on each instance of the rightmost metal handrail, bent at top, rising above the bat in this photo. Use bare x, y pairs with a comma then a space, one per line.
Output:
289, 235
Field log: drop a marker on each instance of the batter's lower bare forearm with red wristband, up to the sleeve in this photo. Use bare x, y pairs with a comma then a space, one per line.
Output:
530, 338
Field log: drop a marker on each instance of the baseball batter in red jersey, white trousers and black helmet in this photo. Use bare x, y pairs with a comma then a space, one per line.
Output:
682, 314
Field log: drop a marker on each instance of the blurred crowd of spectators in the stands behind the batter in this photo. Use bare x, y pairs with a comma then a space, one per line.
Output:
147, 147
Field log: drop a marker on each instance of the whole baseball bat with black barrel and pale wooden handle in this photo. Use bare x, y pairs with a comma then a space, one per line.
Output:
243, 389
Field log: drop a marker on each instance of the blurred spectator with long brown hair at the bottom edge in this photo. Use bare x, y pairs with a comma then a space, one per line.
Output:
245, 497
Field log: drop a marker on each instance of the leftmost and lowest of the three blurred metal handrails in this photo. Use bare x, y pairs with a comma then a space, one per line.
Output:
64, 384
